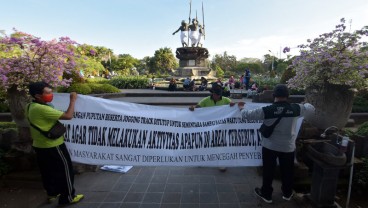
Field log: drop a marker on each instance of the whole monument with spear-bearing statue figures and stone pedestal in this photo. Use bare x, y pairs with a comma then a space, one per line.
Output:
193, 60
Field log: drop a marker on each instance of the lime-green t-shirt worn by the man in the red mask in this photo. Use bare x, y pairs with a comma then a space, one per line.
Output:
44, 117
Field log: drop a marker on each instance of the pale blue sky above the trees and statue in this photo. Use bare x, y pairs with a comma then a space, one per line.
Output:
243, 28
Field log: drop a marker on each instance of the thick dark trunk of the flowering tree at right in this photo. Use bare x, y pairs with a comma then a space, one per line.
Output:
333, 104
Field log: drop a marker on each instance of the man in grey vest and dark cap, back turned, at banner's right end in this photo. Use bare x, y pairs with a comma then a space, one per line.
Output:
281, 144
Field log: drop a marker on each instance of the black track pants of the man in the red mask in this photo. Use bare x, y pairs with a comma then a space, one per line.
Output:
57, 172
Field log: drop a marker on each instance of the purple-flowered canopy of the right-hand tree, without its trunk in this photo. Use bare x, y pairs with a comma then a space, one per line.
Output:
337, 57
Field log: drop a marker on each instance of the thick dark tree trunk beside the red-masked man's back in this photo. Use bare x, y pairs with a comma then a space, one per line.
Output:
17, 102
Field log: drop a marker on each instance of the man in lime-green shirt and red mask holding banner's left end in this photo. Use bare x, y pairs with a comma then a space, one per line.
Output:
52, 155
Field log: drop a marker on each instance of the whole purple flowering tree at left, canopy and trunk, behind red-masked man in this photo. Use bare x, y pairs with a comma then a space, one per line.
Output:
25, 58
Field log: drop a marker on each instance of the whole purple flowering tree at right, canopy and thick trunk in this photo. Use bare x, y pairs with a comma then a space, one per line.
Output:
330, 68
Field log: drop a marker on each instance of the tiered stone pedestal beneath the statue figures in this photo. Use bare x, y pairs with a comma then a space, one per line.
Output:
192, 62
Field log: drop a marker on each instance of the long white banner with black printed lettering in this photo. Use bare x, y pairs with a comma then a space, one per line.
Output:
106, 132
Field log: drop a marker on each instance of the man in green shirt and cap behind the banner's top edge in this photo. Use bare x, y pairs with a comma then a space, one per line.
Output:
215, 99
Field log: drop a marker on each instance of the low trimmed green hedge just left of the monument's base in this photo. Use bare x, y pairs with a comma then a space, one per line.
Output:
129, 82
